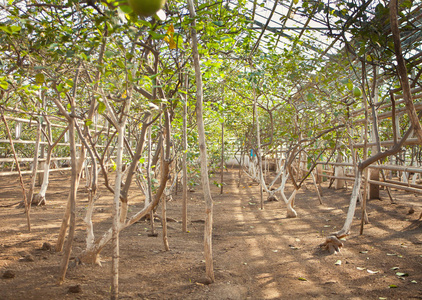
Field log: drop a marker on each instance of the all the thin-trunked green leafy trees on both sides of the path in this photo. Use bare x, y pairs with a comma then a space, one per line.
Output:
145, 95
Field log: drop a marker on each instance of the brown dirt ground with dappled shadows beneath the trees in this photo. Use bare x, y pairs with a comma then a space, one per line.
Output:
258, 254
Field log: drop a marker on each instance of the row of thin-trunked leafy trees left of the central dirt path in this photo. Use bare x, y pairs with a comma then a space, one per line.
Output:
123, 87
